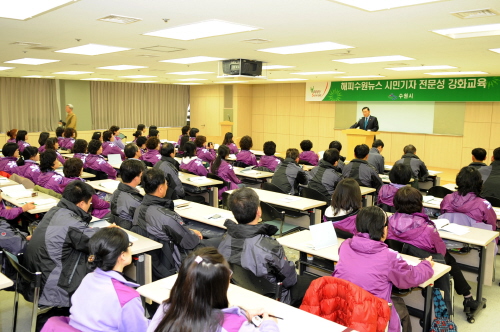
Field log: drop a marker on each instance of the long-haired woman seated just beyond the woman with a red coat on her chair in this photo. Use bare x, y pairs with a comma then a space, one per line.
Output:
346, 202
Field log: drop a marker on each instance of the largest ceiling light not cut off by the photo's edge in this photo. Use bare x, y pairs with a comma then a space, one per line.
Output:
202, 29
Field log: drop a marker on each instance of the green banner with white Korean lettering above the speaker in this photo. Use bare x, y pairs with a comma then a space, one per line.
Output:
425, 89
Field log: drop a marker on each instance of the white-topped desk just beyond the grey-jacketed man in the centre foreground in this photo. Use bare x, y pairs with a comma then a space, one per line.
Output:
301, 204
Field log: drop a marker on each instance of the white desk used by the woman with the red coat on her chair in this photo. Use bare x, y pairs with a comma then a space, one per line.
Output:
296, 241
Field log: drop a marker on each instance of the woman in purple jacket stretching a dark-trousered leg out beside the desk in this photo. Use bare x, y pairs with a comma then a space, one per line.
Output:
410, 225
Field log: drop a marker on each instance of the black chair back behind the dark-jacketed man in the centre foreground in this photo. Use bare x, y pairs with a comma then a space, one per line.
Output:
260, 285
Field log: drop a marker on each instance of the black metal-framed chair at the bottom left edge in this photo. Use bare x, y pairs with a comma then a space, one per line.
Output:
34, 279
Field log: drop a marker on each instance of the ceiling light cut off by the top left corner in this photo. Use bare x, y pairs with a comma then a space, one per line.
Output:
24, 9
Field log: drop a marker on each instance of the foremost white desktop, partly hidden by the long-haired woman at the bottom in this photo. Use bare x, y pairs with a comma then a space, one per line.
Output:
293, 319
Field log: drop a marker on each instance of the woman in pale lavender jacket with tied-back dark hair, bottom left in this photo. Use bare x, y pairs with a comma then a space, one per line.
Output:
106, 300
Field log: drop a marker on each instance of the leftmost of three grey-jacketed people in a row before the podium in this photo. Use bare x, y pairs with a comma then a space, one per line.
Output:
289, 174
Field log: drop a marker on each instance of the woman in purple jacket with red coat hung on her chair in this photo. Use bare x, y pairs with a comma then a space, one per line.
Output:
366, 261
